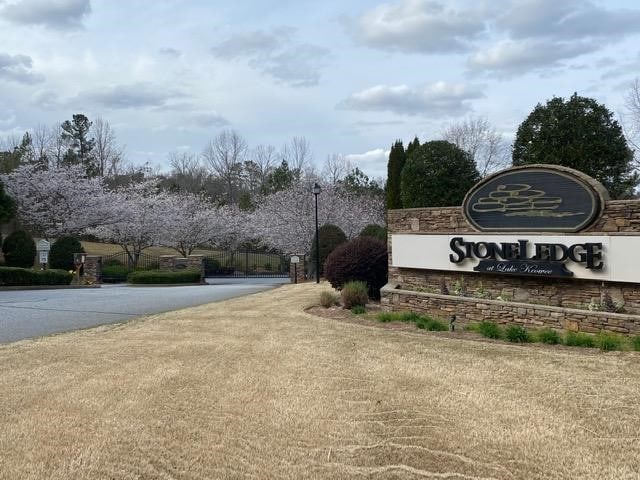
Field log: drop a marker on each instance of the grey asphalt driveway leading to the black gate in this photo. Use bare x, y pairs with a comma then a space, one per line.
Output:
35, 313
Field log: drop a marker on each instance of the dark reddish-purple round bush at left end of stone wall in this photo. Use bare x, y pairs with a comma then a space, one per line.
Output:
364, 259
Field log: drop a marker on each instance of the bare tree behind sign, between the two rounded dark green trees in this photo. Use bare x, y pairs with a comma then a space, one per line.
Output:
482, 141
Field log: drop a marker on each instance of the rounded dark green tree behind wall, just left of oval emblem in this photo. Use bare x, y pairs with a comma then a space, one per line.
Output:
437, 174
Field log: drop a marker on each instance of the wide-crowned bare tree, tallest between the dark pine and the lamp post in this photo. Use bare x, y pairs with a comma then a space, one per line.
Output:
224, 156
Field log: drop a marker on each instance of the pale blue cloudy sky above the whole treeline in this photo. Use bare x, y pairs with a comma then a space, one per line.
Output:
349, 76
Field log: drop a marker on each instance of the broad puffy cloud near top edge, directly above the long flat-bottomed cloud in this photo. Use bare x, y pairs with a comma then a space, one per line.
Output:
422, 26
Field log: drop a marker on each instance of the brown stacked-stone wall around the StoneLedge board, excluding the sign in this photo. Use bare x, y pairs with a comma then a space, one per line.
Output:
416, 287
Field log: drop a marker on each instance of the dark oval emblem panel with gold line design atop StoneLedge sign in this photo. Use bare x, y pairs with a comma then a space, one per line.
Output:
534, 199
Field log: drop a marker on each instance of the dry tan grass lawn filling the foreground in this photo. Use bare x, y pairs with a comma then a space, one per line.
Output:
256, 388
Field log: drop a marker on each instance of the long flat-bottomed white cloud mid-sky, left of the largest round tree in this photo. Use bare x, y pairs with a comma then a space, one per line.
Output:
440, 98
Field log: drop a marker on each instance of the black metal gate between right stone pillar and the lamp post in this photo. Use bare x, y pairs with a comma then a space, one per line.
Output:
246, 264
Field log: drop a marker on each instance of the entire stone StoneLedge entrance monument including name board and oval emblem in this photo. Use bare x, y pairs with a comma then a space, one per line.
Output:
558, 258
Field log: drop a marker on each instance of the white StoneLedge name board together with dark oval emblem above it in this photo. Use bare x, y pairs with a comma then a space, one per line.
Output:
509, 206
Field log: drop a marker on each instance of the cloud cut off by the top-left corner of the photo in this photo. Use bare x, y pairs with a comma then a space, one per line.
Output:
59, 14
